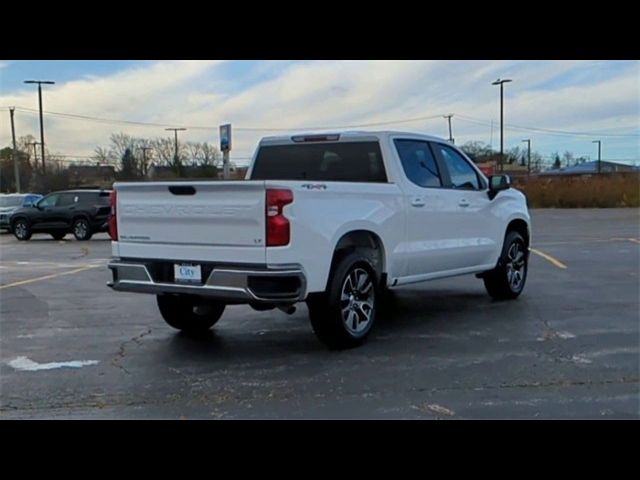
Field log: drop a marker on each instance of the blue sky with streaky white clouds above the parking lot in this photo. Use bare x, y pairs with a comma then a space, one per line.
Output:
559, 105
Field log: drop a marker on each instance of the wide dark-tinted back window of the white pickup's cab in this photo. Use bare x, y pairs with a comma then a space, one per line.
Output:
330, 162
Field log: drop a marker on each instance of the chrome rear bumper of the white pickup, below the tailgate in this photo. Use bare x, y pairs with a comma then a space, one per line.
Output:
231, 284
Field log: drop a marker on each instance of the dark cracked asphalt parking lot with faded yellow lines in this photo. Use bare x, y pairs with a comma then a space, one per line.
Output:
567, 348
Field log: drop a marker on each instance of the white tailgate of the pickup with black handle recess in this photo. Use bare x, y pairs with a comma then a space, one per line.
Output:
206, 221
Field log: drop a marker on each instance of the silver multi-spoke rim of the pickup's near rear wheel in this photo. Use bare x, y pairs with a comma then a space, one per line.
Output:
357, 301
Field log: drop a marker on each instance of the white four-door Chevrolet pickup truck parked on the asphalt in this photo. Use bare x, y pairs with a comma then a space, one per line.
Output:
335, 220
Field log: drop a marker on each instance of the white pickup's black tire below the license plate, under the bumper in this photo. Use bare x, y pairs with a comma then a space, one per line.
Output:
189, 314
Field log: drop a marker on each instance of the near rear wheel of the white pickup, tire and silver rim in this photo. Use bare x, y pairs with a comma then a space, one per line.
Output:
346, 302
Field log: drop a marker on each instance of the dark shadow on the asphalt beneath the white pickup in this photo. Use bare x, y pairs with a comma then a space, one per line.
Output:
414, 312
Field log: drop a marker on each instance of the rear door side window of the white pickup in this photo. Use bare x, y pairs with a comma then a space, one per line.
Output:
418, 163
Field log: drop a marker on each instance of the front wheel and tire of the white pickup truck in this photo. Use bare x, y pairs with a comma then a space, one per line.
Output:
506, 281
